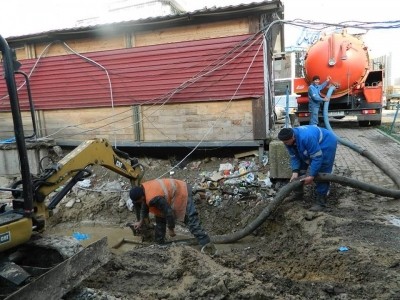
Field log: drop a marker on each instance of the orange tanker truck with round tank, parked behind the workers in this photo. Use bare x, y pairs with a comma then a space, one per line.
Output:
359, 89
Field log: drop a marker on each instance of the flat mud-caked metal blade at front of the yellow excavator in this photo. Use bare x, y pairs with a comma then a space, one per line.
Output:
62, 278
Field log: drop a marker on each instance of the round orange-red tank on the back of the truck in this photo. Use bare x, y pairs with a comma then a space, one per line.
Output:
342, 56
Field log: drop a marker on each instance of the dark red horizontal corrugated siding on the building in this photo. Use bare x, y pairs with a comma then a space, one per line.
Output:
203, 70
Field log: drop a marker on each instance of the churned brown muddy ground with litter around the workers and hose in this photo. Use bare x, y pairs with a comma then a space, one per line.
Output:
349, 251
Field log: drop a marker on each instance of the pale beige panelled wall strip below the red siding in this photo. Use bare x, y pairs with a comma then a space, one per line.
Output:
222, 121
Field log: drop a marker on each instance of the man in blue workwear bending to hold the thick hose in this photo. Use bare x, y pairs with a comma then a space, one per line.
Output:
311, 148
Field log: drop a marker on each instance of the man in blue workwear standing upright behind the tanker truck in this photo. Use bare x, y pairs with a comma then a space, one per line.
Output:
315, 99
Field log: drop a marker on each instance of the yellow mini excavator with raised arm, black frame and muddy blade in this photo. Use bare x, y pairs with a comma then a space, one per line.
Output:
32, 265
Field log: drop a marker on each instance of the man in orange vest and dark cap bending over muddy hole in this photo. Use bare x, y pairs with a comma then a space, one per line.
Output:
168, 199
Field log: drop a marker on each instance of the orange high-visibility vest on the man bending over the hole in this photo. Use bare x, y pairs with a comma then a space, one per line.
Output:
174, 191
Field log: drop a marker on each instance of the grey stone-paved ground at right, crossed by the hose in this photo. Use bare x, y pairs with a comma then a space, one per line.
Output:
360, 167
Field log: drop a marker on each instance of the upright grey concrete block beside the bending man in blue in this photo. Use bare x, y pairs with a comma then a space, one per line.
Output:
279, 160
